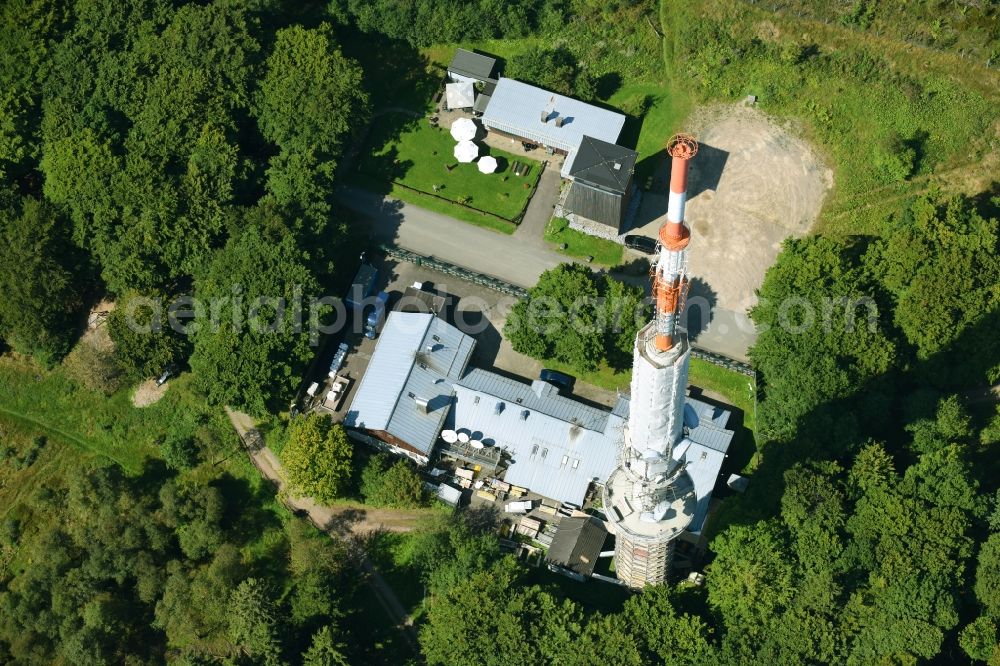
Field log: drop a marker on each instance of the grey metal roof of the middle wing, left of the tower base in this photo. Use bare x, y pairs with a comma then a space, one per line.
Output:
557, 445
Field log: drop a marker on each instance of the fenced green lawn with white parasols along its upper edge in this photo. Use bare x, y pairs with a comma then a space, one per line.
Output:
408, 152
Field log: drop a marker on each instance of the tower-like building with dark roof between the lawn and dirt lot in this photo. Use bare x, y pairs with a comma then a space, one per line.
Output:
602, 181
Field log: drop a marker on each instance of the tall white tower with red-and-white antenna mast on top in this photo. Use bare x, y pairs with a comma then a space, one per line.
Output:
649, 498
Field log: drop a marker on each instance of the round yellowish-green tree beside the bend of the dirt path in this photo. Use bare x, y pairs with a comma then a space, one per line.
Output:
317, 457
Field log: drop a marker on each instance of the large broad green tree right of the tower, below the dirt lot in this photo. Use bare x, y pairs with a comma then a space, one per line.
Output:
821, 334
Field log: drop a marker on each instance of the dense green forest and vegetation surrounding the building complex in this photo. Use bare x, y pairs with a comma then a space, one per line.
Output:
153, 149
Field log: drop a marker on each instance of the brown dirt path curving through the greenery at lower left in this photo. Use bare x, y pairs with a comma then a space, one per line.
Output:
339, 522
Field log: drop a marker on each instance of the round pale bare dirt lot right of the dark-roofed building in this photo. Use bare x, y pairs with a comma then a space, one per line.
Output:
753, 183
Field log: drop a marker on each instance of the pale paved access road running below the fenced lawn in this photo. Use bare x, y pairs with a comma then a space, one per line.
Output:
519, 258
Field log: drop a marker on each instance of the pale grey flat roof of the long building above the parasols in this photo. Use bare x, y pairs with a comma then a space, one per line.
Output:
516, 108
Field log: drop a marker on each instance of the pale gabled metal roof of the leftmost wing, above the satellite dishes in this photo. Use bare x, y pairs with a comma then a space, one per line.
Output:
418, 357
